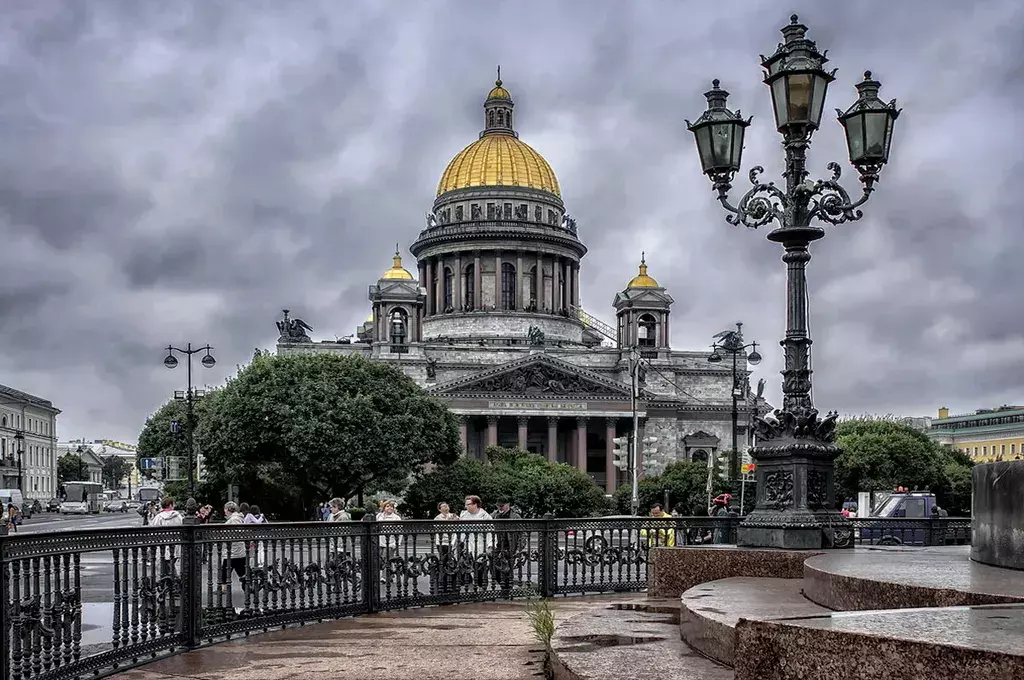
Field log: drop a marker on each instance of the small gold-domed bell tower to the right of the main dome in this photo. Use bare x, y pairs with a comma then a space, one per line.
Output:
643, 313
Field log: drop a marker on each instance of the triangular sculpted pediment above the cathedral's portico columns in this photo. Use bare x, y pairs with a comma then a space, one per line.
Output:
536, 376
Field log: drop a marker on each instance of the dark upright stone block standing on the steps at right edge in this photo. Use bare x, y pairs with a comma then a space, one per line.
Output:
998, 533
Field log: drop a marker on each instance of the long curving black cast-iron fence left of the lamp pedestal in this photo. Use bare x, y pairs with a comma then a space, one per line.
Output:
88, 605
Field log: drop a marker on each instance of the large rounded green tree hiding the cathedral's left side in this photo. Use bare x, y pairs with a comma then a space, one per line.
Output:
297, 430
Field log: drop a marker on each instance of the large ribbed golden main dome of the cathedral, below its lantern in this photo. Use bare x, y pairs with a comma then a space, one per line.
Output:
499, 160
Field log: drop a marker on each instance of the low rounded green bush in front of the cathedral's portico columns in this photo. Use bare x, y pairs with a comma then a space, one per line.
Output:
536, 486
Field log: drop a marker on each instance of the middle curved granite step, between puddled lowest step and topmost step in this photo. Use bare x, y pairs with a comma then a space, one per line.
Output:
710, 612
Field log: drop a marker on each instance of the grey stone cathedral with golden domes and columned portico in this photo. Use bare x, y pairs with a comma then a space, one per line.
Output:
491, 323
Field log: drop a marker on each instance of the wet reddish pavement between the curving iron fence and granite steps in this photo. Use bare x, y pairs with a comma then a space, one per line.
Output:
479, 642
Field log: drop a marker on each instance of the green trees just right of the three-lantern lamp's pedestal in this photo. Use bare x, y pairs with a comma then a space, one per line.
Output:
880, 454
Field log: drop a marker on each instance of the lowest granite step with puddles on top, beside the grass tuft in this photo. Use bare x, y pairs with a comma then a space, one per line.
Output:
613, 644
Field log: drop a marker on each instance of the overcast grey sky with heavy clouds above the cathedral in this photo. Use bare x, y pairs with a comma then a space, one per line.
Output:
178, 173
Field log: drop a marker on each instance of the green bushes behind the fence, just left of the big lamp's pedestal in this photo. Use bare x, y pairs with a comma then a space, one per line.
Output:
687, 484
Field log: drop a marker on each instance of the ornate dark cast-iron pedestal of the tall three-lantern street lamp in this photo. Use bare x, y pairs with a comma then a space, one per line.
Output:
795, 488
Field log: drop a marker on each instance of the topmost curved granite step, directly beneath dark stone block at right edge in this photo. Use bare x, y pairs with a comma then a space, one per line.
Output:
904, 578
